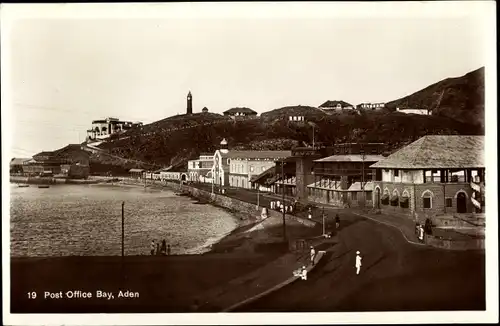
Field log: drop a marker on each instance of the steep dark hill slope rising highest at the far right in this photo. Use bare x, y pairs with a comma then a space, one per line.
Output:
462, 98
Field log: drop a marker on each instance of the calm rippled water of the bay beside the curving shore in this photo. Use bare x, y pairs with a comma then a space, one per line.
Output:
86, 220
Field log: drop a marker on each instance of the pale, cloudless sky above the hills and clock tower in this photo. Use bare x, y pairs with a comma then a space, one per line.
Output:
65, 71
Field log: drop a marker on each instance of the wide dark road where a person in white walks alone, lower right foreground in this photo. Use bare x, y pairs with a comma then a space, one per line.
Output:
395, 276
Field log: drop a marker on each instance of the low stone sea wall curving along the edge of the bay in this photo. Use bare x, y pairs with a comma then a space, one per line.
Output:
235, 204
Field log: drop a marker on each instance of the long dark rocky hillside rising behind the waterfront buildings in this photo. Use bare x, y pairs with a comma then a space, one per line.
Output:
179, 138
